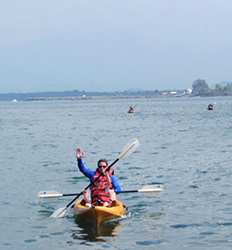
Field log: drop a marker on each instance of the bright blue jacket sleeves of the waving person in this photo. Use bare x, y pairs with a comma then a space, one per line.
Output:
90, 174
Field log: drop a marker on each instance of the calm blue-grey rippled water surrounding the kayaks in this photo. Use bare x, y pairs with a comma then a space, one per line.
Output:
183, 146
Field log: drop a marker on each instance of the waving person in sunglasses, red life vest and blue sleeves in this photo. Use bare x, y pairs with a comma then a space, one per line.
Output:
104, 189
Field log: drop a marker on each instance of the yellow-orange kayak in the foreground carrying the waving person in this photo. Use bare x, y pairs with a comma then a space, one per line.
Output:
97, 215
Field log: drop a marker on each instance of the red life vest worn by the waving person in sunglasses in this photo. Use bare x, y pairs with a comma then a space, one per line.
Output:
100, 189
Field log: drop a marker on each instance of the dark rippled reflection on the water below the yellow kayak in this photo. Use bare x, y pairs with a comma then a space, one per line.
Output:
91, 232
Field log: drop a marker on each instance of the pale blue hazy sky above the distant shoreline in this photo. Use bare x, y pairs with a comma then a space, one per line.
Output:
113, 45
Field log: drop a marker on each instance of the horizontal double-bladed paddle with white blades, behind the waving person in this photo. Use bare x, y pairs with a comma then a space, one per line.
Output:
55, 194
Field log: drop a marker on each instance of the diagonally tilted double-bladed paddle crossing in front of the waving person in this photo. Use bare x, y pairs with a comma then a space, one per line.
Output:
128, 149
